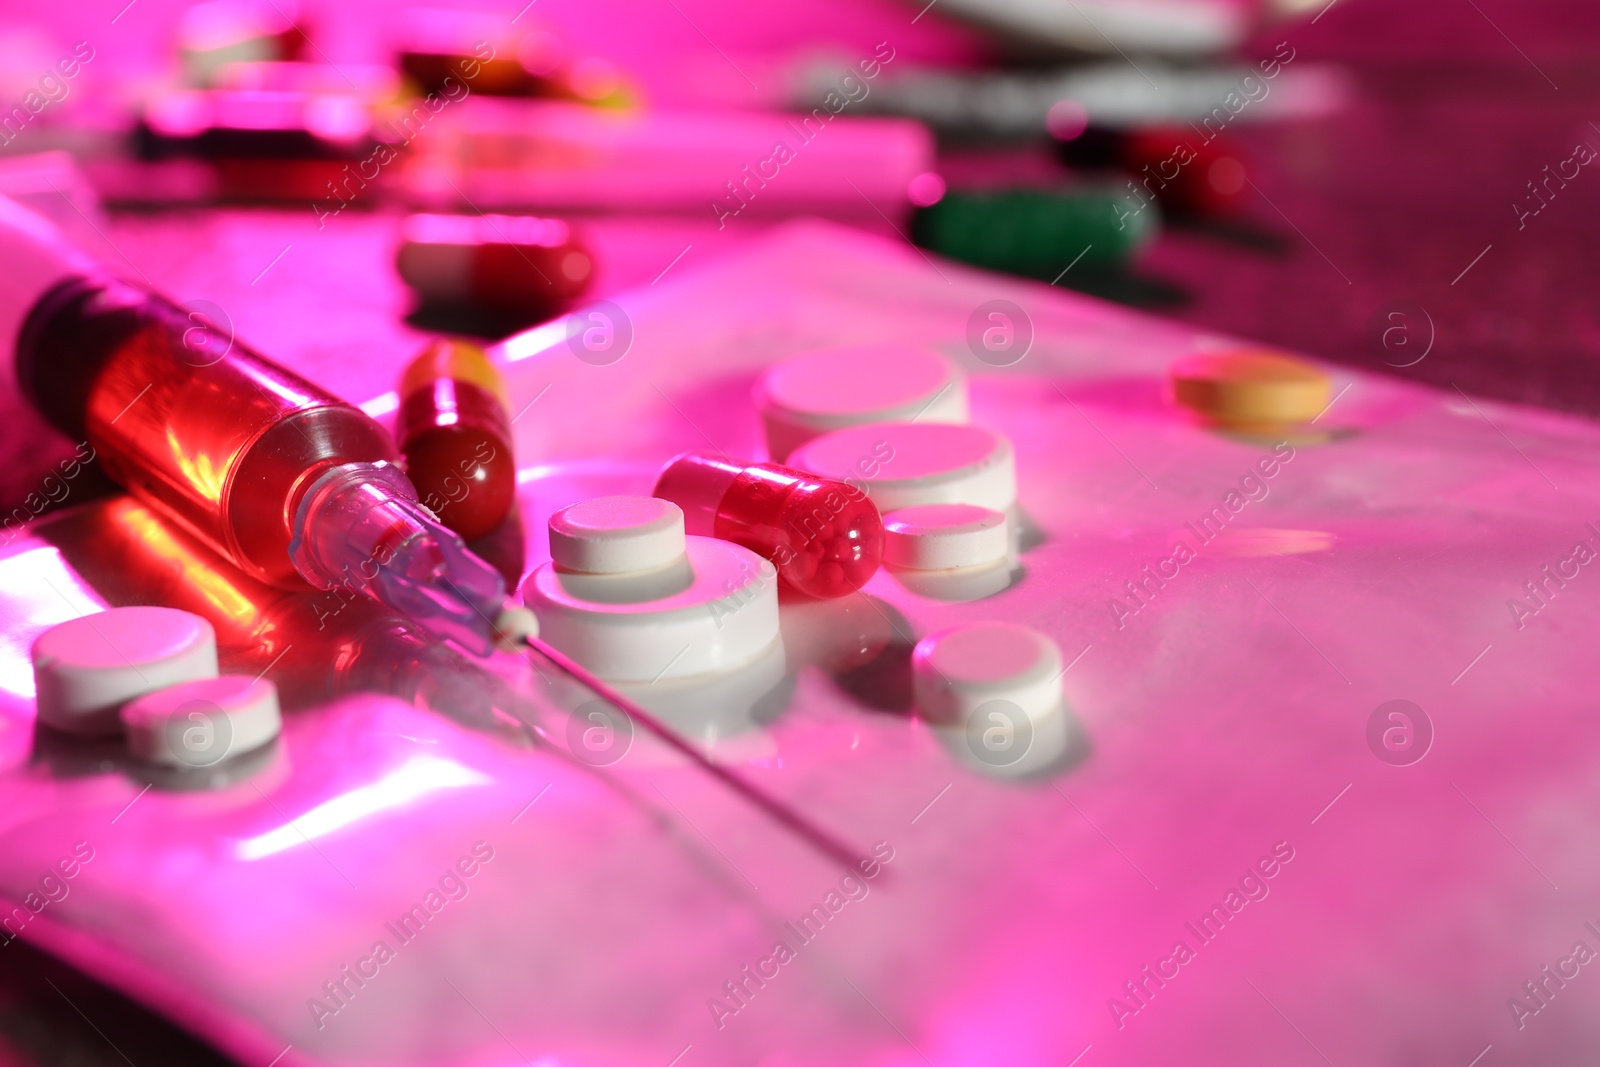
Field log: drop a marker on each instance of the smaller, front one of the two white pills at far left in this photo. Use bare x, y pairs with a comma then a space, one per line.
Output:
204, 722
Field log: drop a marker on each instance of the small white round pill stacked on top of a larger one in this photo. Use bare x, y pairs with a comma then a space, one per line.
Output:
617, 535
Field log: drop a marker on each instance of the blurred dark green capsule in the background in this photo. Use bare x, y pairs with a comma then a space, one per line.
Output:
1036, 233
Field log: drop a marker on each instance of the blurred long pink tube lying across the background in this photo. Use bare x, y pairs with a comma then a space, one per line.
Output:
550, 156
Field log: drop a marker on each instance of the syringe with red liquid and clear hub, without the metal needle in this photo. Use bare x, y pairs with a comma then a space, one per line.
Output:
281, 478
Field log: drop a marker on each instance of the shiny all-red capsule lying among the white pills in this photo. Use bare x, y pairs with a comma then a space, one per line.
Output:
825, 537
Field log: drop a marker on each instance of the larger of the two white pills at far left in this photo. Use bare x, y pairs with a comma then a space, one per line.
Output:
86, 669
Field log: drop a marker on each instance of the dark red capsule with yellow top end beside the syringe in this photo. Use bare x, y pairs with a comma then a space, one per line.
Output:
455, 436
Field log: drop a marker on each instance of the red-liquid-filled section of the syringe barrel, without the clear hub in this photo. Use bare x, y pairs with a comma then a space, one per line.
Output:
188, 418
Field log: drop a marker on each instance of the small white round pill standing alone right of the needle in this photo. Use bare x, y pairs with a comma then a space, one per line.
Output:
958, 671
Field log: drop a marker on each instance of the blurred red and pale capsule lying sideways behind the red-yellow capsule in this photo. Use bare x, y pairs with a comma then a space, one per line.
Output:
518, 266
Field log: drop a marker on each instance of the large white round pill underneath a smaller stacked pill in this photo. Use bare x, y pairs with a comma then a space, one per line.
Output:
721, 617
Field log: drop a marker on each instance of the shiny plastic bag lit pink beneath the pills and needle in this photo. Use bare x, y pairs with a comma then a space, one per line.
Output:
1223, 729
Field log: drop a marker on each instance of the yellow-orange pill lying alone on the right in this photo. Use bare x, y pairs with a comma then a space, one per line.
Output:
1250, 388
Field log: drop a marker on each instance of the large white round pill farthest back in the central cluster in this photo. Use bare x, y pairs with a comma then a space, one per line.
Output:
812, 394
